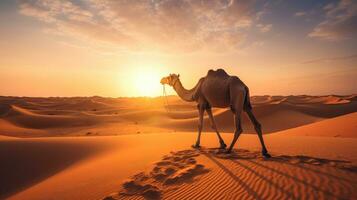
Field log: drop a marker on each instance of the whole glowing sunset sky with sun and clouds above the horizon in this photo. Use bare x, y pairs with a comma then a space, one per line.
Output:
117, 48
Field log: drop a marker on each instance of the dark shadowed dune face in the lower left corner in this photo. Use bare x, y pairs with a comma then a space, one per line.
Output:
27, 162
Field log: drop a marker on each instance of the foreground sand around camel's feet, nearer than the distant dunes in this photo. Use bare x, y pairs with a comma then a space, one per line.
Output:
104, 163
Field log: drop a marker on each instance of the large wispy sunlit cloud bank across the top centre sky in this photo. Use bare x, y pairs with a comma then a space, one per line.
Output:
144, 25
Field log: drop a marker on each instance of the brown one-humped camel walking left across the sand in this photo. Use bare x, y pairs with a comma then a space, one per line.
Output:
218, 89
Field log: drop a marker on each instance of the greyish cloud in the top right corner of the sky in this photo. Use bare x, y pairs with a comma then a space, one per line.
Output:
340, 22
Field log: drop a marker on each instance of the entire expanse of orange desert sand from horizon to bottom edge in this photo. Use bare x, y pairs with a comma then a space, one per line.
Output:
118, 148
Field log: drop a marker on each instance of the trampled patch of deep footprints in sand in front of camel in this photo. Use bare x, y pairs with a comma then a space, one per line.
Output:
173, 170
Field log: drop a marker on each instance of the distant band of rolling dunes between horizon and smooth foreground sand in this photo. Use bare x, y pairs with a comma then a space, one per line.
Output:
78, 115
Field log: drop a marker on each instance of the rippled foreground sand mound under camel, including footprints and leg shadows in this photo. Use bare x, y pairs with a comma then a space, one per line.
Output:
244, 174
